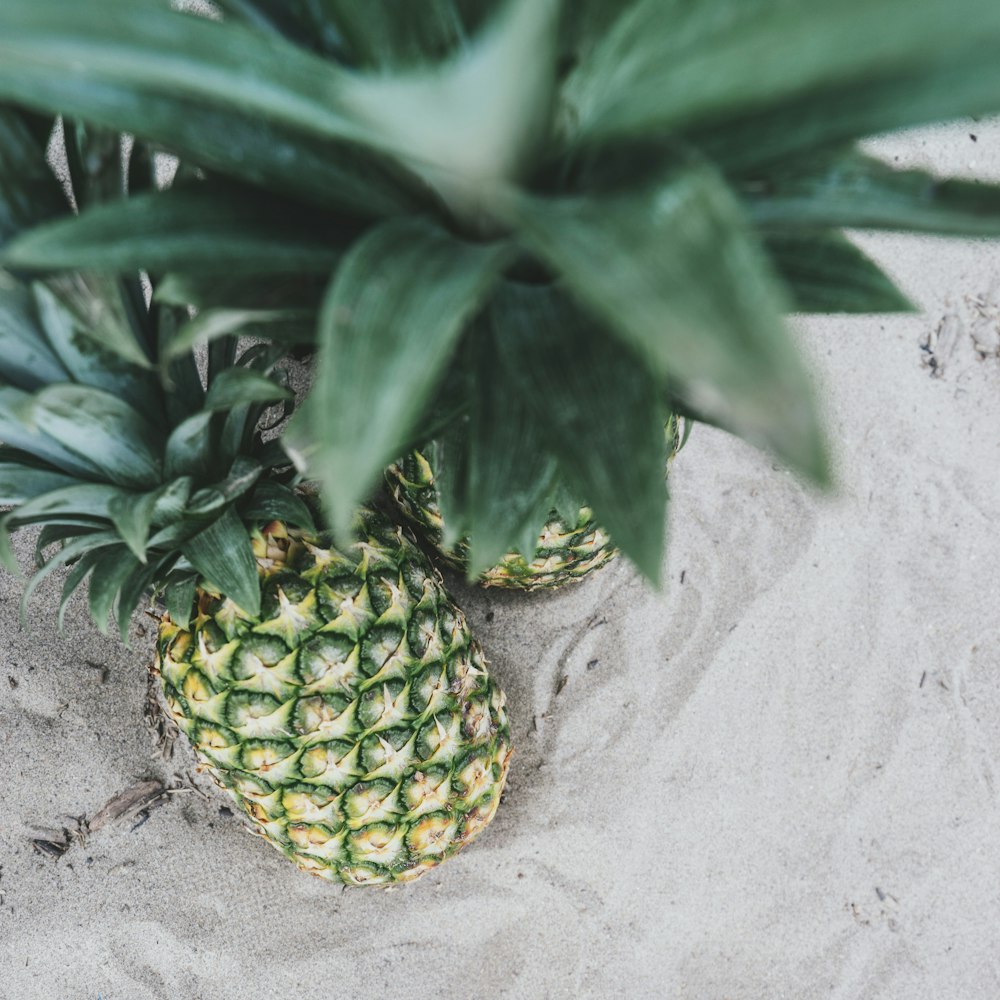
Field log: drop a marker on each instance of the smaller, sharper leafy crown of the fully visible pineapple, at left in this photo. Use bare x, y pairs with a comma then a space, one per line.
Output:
138, 460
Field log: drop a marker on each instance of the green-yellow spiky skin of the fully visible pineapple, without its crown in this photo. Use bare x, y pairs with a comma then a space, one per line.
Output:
354, 722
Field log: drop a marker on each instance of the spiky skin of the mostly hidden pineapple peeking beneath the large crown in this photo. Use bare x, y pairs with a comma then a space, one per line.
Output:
565, 551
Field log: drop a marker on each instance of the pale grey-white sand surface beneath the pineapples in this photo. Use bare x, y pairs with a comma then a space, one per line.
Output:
777, 779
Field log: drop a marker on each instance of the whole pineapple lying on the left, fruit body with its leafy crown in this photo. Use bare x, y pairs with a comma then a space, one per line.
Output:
333, 689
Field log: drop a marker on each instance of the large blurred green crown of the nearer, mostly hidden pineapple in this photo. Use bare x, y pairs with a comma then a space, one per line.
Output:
526, 229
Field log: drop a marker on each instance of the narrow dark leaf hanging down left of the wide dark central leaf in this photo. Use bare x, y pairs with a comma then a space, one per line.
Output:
510, 471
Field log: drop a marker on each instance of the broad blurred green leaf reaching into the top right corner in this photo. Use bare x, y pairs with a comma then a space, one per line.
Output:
668, 65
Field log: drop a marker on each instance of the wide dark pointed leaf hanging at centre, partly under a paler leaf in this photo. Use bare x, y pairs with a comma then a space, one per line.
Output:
600, 410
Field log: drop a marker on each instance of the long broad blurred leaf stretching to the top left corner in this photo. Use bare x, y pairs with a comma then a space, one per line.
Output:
220, 95
